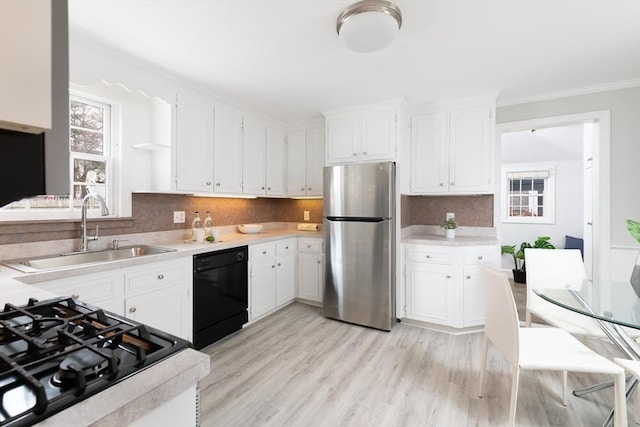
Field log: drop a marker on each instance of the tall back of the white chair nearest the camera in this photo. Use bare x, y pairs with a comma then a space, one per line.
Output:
501, 315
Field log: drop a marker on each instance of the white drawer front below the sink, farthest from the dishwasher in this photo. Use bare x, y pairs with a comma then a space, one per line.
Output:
89, 288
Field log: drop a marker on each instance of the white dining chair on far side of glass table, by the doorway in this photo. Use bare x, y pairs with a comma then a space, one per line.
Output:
546, 264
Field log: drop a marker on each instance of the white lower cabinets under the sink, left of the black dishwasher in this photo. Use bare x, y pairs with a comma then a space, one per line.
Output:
155, 294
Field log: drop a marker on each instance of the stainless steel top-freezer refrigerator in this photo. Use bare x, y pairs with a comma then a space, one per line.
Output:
359, 239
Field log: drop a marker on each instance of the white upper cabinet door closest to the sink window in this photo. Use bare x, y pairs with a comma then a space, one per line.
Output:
194, 144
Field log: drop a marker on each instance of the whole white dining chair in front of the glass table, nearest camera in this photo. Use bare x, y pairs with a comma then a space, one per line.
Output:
548, 348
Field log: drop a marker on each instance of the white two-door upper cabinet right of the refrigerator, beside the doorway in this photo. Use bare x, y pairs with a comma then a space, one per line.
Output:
451, 151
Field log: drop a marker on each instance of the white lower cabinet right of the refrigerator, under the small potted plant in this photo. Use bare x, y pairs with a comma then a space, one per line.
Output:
442, 285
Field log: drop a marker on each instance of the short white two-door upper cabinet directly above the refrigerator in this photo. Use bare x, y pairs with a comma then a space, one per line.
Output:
366, 134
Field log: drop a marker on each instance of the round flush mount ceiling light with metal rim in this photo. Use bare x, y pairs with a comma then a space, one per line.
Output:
369, 25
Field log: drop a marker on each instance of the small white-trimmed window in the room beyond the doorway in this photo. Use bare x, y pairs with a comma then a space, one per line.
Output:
528, 194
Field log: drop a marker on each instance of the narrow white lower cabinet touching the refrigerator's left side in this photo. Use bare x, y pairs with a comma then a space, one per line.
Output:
310, 269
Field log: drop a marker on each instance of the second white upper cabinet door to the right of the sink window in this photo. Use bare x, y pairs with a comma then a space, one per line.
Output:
227, 152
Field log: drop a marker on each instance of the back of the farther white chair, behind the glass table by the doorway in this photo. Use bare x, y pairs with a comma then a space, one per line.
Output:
545, 264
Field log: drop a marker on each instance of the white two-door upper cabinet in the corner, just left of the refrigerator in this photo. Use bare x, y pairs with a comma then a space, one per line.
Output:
305, 161
